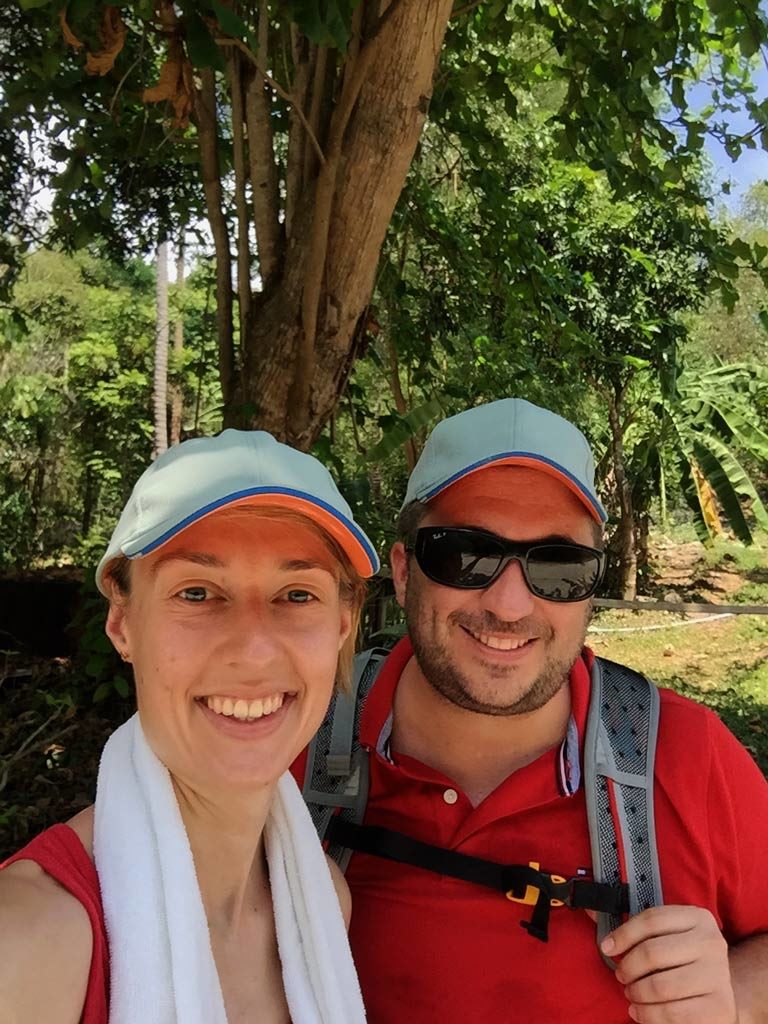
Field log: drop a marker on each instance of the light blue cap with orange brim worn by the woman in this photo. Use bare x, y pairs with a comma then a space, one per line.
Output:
200, 477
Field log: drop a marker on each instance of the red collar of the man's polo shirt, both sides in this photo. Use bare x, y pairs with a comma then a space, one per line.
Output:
376, 722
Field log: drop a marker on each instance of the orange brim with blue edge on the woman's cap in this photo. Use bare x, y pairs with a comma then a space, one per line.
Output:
348, 535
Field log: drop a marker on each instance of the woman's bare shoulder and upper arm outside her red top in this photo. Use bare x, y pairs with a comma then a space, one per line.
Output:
47, 944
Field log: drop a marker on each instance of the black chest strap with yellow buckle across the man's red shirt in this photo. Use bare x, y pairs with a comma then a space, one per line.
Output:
513, 880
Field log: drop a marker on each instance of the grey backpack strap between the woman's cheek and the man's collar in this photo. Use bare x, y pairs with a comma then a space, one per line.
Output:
336, 778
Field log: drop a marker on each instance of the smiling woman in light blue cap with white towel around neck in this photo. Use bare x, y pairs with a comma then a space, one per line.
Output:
195, 891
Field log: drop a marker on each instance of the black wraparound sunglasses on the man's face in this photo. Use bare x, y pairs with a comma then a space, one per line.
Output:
473, 560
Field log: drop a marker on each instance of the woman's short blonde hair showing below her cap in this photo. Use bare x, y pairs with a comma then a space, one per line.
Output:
352, 584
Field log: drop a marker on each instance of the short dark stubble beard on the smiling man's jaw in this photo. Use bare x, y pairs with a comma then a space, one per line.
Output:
446, 678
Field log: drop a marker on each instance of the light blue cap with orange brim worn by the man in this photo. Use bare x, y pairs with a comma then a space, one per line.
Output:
510, 432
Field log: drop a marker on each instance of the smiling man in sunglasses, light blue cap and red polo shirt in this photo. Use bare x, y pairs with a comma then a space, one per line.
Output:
476, 730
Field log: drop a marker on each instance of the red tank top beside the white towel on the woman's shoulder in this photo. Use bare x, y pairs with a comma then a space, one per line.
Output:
61, 855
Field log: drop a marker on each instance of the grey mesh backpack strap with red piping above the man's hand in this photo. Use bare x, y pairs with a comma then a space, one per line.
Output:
619, 759
